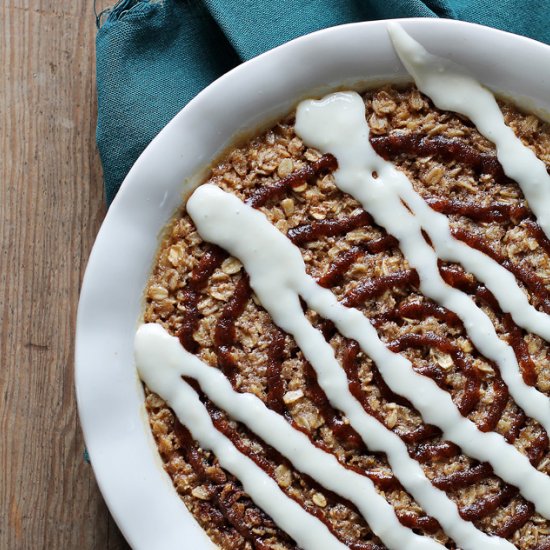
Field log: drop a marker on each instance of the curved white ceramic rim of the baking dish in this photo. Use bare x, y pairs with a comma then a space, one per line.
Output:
110, 399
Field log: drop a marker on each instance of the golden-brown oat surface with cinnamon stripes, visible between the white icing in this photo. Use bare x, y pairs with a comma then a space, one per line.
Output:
453, 167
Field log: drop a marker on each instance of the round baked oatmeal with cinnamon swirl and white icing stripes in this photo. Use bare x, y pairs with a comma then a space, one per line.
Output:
363, 319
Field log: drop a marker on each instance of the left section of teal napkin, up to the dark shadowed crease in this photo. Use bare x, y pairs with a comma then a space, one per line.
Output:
152, 59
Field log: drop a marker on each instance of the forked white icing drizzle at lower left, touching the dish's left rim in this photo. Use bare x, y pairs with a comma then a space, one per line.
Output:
162, 361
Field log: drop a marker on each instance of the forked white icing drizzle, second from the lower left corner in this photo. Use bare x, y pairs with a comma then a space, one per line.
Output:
278, 277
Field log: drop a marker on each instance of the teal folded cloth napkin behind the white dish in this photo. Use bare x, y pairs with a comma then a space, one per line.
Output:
153, 56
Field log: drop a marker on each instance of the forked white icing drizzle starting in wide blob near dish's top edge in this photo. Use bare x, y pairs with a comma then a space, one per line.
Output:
337, 125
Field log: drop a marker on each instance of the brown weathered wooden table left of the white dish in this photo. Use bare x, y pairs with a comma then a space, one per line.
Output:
51, 206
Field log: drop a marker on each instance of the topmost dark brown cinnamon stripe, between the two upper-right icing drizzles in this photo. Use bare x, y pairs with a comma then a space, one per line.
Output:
418, 145
